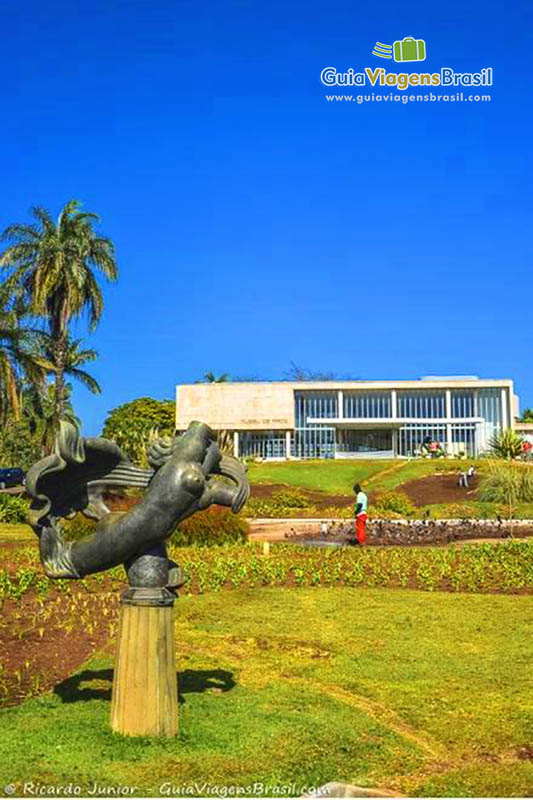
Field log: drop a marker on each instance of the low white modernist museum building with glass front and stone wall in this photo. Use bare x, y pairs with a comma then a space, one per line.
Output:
351, 419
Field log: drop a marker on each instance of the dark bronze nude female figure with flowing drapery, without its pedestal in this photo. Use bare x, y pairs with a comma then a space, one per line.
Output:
185, 478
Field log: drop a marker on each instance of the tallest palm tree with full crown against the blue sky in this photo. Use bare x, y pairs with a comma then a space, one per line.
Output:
56, 264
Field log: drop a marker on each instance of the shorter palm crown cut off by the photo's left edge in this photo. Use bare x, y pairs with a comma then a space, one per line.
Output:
20, 357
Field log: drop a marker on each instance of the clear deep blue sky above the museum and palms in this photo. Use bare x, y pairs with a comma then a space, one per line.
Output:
256, 223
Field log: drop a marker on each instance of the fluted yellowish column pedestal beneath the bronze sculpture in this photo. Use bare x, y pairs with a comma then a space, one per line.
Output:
145, 690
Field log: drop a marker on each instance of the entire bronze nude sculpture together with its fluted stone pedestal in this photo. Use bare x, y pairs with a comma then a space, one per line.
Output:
189, 474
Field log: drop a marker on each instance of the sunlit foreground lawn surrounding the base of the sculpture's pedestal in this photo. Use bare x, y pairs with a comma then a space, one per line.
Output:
427, 694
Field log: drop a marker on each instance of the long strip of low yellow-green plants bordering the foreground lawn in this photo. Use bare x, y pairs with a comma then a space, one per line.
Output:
503, 567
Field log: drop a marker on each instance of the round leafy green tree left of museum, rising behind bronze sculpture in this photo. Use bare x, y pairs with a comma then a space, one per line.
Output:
133, 424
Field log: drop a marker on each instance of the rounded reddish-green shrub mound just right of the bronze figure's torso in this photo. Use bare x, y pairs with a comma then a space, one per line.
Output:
214, 526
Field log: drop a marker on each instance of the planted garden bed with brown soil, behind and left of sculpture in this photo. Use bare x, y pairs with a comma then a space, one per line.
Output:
48, 628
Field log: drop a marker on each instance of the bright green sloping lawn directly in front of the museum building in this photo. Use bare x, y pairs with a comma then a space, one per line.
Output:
338, 477
